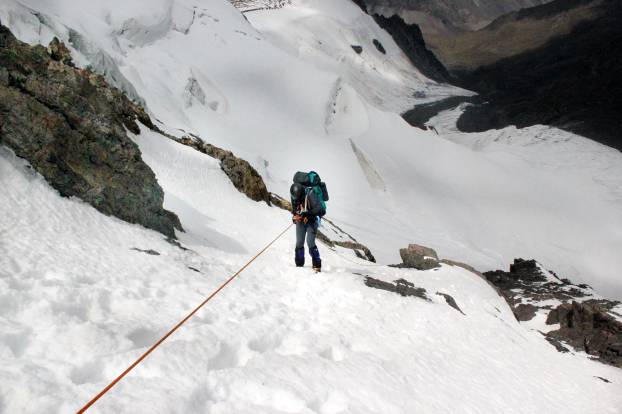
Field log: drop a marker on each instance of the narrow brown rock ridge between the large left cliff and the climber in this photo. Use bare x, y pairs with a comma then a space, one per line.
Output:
243, 176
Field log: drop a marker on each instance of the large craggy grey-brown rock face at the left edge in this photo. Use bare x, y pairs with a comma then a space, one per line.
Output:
71, 126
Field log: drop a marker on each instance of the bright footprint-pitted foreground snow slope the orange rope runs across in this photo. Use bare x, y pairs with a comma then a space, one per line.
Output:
79, 303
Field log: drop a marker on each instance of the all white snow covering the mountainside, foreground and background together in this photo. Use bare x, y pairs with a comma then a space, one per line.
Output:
78, 302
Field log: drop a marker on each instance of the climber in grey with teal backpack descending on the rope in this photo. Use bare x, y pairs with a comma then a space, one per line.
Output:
308, 196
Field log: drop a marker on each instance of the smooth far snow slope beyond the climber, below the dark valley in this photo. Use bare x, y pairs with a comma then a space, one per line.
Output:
287, 79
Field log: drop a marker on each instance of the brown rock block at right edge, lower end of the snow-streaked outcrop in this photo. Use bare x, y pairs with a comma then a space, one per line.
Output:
588, 328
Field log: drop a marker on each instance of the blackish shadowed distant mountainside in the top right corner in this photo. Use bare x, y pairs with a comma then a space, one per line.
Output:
572, 81
